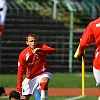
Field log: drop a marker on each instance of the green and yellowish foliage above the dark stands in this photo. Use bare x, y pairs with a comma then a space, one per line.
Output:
46, 8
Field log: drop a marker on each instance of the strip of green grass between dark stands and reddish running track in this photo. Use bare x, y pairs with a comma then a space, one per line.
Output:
59, 80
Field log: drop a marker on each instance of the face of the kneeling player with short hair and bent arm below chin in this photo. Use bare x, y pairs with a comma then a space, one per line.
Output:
31, 42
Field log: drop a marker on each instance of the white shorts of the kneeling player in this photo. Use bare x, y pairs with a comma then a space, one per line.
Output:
30, 85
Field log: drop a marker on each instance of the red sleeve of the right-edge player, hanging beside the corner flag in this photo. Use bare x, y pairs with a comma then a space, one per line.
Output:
86, 39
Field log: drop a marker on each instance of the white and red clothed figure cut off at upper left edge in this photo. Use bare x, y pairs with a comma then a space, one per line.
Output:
3, 11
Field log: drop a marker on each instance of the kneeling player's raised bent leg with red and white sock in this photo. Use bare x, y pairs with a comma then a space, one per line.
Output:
45, 78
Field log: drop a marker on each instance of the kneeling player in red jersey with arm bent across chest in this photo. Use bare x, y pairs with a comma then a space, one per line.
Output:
33, 60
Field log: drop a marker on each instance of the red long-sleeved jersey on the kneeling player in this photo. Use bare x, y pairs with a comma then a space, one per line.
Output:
33, 63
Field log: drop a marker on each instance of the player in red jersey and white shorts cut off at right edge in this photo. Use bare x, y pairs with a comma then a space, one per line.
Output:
92, 33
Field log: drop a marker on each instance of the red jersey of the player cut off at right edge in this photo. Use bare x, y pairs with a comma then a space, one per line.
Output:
92, 33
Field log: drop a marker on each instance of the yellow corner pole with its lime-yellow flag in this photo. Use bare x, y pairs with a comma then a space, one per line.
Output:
83, 67
